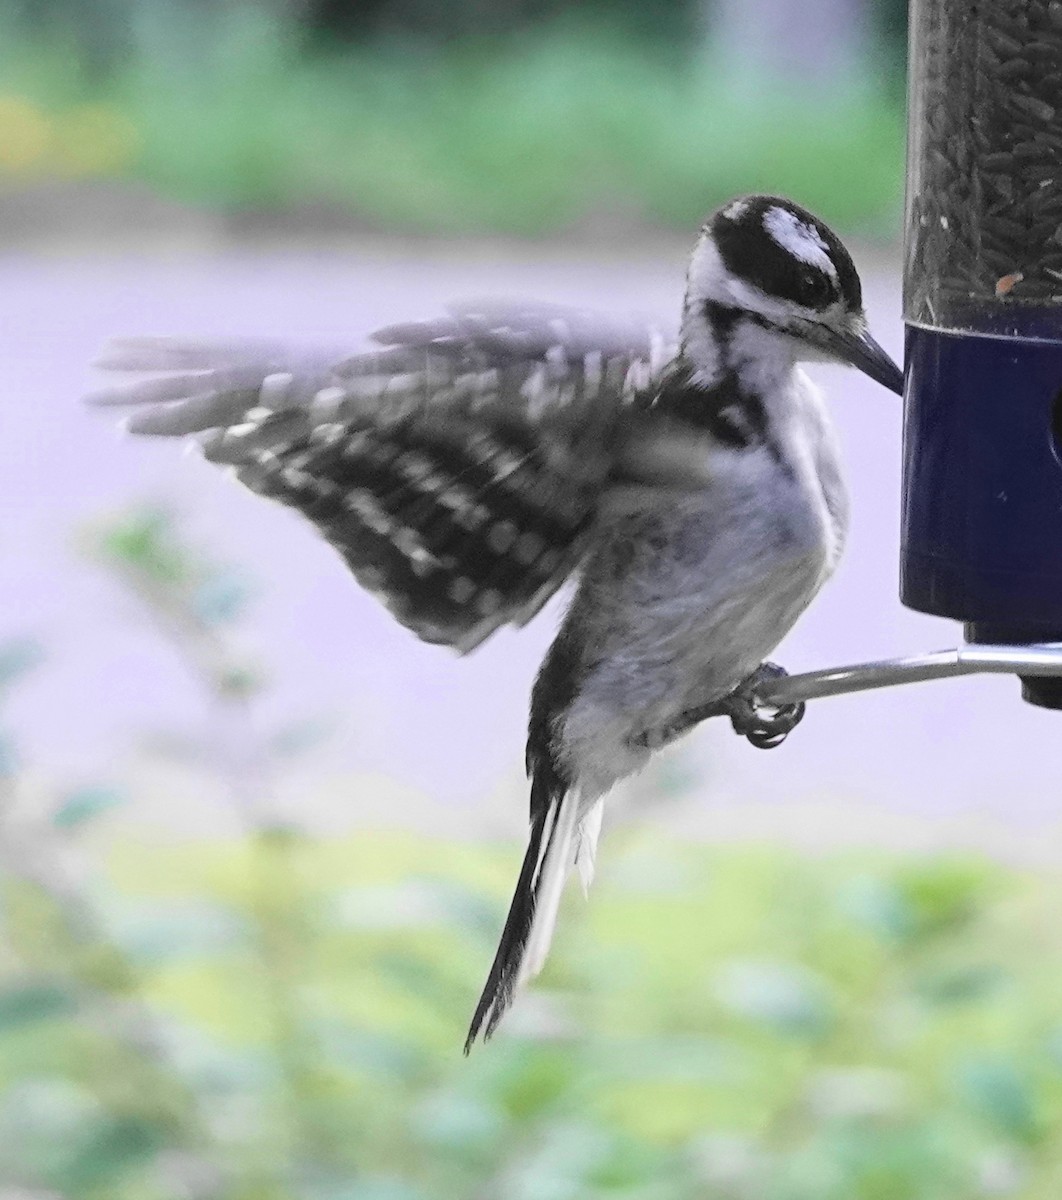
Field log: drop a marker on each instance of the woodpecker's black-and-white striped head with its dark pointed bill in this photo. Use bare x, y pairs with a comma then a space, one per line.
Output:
767, 265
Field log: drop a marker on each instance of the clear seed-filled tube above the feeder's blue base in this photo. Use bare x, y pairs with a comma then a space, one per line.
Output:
985, 175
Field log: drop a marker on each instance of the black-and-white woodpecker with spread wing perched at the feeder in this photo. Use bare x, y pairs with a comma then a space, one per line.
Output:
472, 464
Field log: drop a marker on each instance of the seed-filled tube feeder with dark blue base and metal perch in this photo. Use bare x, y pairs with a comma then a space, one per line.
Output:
982, 520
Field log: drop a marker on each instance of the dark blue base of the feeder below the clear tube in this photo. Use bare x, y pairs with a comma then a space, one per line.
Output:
982, 521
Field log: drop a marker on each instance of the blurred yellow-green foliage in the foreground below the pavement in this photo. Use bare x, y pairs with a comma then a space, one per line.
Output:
280, 1017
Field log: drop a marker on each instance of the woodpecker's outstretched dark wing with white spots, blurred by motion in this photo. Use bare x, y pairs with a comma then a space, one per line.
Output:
458, 469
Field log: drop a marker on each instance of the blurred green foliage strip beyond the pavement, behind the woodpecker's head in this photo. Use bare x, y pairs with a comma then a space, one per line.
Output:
572, 125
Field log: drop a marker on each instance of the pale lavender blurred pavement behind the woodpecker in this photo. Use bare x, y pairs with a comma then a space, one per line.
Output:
422, 723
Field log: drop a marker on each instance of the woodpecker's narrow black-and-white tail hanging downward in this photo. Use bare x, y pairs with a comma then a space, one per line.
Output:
560, 839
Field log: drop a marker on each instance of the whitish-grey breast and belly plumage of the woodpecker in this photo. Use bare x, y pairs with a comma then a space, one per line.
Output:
687, 601
